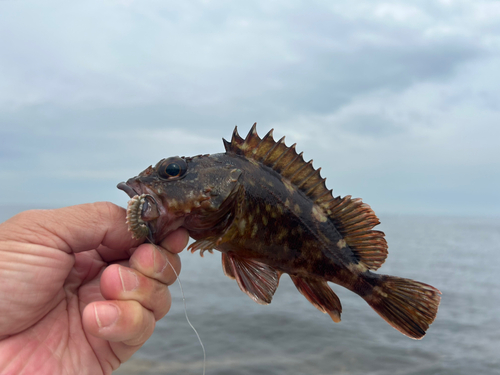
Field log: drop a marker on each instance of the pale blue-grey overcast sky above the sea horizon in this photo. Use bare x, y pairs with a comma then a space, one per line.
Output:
397, 101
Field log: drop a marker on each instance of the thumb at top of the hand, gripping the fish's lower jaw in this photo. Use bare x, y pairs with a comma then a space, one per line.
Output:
72, 229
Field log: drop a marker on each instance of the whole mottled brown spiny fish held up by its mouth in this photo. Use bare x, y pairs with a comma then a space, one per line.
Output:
269, 212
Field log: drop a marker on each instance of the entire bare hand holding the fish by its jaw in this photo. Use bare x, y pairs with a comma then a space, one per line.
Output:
78, 294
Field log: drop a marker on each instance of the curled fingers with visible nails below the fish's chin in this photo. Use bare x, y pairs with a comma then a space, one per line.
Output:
136, 296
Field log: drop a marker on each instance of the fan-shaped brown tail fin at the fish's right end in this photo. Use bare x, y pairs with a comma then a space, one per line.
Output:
407, 305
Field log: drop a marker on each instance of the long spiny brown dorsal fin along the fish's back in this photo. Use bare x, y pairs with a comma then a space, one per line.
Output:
352, 218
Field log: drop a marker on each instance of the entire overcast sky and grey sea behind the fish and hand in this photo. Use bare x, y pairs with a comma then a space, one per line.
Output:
397, 101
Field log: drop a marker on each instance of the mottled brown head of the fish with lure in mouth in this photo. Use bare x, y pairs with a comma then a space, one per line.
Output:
179, 191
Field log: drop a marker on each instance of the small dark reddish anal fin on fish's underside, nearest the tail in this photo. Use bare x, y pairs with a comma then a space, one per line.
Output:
320, 295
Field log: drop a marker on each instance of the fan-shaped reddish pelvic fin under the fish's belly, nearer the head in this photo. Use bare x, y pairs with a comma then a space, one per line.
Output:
256, 279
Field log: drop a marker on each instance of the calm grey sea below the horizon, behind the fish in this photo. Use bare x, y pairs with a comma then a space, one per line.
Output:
459, 256
